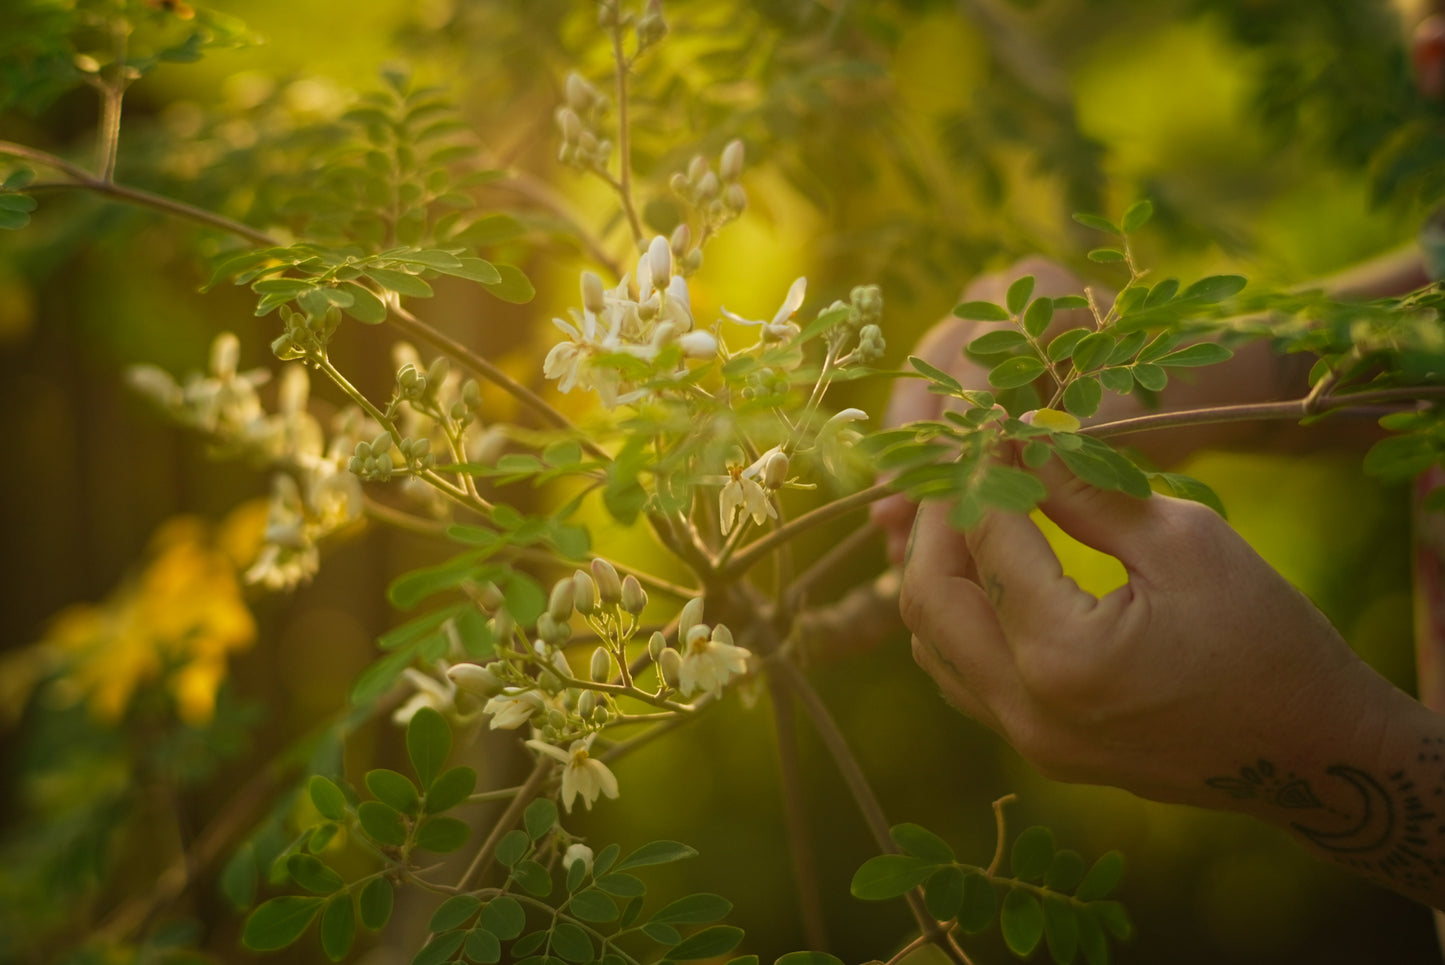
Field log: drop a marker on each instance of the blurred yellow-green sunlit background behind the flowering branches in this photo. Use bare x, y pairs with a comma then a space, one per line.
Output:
908, 144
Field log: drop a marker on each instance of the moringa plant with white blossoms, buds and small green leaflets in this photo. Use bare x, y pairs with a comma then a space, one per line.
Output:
715, 436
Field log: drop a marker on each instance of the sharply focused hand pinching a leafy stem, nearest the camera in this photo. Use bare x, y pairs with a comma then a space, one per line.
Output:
1204, 661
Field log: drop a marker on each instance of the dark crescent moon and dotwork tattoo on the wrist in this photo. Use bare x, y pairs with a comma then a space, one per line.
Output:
1391, 834
